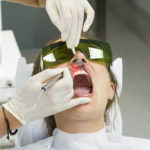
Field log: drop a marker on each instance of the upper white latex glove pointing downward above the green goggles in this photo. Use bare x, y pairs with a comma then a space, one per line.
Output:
68, 17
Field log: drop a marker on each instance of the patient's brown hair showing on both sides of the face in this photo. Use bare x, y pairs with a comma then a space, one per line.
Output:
50, 121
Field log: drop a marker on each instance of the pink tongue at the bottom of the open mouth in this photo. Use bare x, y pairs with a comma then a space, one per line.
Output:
81, 91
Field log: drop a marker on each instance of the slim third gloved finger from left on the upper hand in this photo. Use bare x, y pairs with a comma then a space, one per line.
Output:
80, 24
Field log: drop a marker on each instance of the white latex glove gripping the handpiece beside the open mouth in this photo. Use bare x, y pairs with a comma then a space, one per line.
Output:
54, 100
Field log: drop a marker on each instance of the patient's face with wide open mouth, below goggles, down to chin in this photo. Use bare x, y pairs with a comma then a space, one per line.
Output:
92, 80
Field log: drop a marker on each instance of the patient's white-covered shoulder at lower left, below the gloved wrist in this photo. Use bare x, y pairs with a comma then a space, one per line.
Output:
40, 145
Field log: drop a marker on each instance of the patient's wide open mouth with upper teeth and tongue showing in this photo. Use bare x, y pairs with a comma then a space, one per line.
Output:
82, 84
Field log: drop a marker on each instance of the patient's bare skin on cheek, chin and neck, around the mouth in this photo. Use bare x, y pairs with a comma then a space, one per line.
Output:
89, 117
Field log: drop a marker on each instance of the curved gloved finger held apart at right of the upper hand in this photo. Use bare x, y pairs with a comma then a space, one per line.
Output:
90, 16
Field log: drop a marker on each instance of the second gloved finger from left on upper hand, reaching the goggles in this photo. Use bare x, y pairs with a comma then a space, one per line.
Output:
72, 36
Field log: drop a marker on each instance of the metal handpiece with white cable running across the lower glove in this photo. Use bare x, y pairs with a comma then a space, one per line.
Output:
43, 89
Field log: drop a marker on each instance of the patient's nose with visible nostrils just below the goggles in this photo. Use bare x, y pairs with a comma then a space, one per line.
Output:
79, 59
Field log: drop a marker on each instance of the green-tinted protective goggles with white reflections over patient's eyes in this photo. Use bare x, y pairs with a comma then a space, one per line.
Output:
58, 53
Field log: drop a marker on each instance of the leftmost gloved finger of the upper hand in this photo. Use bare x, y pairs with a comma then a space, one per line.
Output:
67, 18
